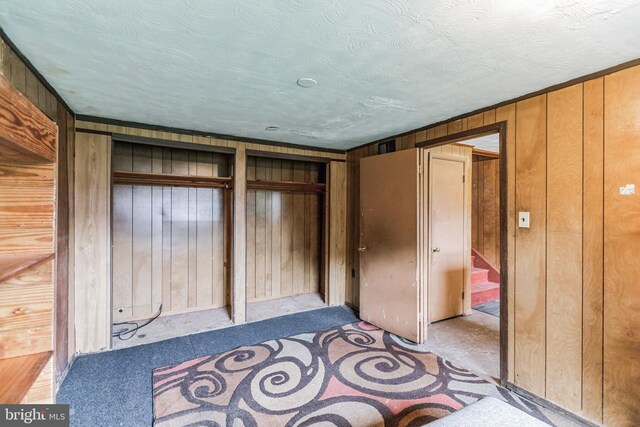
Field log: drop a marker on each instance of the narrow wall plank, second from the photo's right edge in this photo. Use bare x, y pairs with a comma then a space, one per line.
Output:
592, 247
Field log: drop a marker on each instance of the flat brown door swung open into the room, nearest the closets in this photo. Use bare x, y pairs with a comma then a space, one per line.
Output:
390, 285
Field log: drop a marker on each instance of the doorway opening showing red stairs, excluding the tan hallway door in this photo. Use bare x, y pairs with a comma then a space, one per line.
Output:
477, 339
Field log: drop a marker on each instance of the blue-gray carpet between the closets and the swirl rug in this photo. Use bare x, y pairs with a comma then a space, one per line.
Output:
114, 388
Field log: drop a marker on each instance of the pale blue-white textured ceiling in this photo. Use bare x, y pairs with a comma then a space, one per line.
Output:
383, 66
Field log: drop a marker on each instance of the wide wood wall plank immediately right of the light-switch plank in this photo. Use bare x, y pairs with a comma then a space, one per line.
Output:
564, 247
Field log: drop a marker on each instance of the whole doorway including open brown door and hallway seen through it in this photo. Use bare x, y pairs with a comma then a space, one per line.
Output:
401, 278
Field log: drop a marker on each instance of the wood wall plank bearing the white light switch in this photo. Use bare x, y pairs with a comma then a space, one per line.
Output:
530, 298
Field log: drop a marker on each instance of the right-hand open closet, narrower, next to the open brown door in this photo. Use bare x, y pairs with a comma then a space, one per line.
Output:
286, 236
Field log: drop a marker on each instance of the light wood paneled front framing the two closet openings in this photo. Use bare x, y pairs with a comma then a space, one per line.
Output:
92, 228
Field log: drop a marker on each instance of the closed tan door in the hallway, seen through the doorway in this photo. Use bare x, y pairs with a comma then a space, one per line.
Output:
446, 217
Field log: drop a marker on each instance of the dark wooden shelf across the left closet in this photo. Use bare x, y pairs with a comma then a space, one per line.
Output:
168, 180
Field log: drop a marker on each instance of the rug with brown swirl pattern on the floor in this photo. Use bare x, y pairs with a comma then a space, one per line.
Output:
353, 375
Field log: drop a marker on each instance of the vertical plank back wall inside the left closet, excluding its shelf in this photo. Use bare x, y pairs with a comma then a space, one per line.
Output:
168, 242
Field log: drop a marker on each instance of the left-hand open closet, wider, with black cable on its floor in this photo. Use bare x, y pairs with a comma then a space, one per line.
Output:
171, 240
